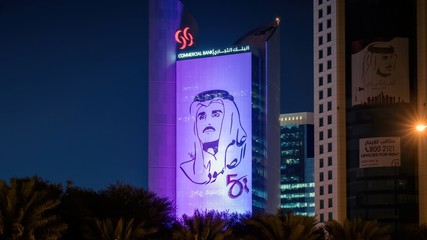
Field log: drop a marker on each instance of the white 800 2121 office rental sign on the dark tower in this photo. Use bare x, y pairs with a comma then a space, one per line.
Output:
379, 152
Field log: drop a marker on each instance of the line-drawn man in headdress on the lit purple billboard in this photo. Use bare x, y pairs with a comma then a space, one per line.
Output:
219, 138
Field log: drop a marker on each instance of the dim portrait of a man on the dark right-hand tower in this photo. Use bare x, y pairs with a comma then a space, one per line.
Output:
379, 83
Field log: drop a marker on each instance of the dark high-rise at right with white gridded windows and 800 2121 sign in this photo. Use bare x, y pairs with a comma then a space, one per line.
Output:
369, 87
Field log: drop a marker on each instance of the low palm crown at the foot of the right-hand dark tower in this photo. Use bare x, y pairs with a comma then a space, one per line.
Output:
357, 229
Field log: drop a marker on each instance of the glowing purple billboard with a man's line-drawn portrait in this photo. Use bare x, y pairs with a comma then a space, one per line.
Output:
214, 134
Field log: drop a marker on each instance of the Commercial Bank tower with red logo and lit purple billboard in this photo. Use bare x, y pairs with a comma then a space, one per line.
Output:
213, 130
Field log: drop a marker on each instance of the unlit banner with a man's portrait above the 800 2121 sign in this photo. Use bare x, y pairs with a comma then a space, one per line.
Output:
380, 73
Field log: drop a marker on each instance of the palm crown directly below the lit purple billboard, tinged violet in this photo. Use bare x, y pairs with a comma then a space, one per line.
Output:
207, 225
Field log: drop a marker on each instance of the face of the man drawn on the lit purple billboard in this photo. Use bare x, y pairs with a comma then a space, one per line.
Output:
209, 122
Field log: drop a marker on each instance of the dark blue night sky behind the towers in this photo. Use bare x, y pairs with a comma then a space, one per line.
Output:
73, 80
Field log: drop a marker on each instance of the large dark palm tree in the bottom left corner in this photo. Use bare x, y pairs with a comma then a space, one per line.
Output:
27, 210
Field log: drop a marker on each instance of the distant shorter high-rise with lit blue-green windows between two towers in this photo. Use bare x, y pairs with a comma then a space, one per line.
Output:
297, 163
